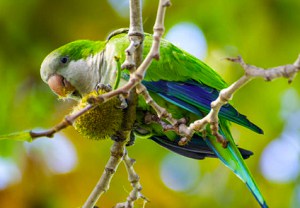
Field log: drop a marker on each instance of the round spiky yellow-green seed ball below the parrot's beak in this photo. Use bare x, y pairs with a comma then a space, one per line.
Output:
101, 122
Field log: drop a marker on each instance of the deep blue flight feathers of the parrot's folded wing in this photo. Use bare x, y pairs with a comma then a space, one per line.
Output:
196, 98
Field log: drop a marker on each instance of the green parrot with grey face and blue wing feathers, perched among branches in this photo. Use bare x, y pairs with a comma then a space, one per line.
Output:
178, 81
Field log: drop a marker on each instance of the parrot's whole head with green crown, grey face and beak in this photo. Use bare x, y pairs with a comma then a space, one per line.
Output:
72, 70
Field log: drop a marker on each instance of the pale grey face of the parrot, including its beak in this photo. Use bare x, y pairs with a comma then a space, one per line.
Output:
69, 78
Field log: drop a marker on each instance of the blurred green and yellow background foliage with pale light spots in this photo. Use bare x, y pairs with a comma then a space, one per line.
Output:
62, 171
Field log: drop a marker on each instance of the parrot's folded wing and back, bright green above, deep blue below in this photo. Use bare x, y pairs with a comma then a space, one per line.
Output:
183, 80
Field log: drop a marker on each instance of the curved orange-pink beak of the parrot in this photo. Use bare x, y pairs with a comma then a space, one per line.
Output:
60, 86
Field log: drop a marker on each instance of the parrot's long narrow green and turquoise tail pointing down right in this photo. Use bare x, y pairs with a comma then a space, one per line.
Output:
232, 158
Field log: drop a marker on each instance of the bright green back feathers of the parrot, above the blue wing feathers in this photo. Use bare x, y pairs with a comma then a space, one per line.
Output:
174, 64
